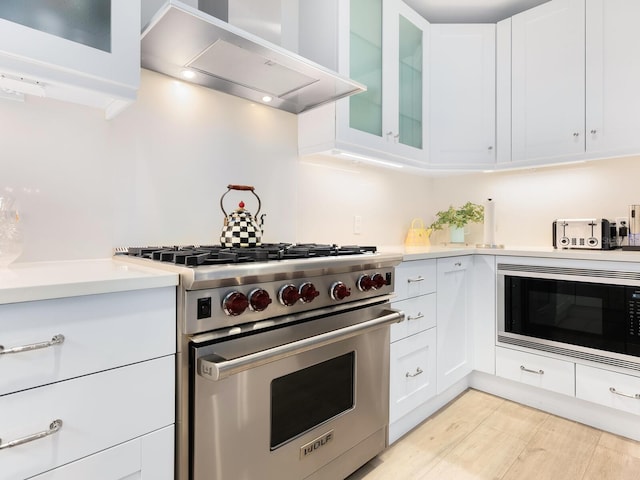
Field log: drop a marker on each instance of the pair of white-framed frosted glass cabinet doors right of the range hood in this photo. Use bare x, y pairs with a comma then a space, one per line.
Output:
388, 45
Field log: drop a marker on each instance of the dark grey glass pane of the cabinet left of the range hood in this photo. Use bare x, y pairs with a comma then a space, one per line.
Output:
82, 21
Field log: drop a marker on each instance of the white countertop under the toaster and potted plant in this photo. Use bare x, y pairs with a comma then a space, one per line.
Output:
440, 251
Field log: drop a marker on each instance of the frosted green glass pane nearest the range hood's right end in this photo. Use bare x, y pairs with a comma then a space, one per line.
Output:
365, 58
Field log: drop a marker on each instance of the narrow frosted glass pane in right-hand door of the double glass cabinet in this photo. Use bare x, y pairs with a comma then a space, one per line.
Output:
410, 58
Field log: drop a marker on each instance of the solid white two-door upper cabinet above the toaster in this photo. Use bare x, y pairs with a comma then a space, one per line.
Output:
574, 72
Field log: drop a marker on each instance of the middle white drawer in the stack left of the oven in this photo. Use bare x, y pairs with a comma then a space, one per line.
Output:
97, 412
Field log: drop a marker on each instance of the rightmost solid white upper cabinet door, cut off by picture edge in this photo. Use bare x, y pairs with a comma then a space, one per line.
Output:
613, 76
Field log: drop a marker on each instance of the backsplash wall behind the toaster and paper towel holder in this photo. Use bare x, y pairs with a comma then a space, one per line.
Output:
527, 201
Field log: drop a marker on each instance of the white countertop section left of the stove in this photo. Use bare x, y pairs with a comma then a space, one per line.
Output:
21, 282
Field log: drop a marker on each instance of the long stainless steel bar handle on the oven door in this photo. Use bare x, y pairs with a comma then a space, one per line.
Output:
211, 369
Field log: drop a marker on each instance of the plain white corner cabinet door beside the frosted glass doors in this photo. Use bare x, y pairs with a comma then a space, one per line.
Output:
463, 98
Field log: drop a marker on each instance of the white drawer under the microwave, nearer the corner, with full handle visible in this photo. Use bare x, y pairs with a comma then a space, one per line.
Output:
538, 371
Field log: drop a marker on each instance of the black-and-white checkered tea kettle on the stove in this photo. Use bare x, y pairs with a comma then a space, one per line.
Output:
240, 228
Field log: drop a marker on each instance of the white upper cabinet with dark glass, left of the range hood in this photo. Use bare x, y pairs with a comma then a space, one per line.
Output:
82, 52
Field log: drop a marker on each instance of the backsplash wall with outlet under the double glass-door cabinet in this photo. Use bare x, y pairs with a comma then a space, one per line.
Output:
332, 192
